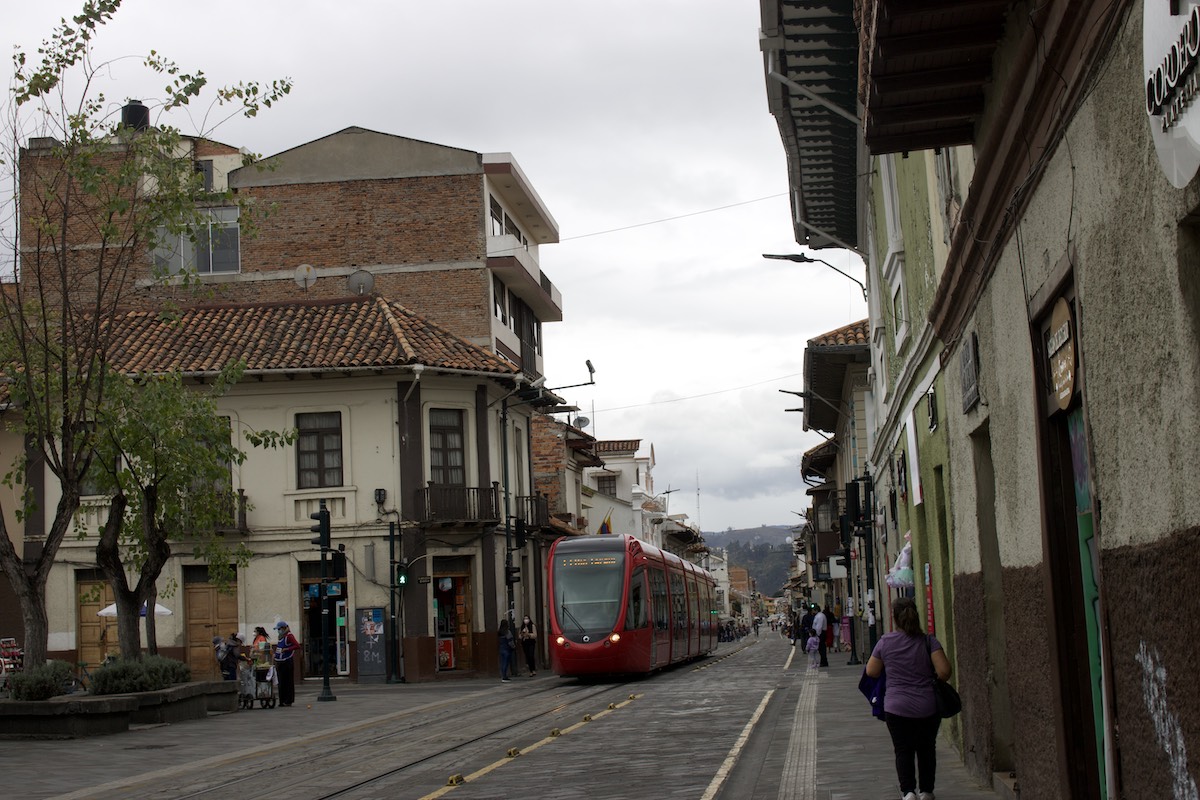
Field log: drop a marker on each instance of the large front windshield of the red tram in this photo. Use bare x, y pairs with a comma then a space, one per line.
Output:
589, 591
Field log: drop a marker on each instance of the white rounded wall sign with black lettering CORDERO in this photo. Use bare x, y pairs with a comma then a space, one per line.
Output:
1171, 50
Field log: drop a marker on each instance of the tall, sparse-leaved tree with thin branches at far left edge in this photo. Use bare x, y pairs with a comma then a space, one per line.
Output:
91, 199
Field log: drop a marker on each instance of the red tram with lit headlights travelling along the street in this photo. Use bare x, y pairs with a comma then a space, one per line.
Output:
620, 606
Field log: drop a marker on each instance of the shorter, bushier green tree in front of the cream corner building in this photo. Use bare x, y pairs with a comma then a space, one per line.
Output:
169, 484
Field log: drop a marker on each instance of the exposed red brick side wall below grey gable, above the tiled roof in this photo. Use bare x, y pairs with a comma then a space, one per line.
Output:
413, 221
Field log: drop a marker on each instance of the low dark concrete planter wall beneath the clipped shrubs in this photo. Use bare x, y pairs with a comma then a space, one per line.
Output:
79, 717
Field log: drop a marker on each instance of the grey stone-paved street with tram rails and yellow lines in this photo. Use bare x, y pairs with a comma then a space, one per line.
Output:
752, 723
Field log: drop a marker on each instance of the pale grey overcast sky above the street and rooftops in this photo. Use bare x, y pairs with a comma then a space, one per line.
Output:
644, 127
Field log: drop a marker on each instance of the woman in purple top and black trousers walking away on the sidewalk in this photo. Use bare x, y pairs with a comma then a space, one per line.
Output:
911, 660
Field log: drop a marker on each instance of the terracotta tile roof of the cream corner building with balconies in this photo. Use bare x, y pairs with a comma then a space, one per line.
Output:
309, 336
